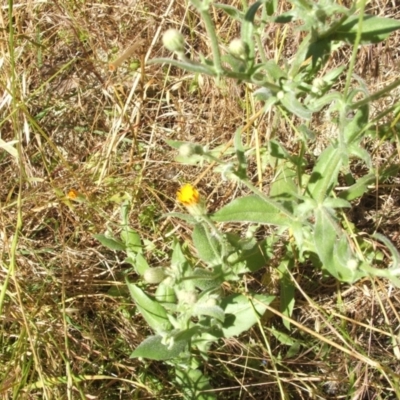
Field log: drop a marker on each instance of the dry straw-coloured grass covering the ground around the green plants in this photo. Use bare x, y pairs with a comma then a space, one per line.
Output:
68, 326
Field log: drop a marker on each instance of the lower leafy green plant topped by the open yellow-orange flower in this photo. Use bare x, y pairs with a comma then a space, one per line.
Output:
188, 309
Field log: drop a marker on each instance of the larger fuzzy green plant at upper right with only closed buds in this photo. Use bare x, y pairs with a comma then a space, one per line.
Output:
304, 203
